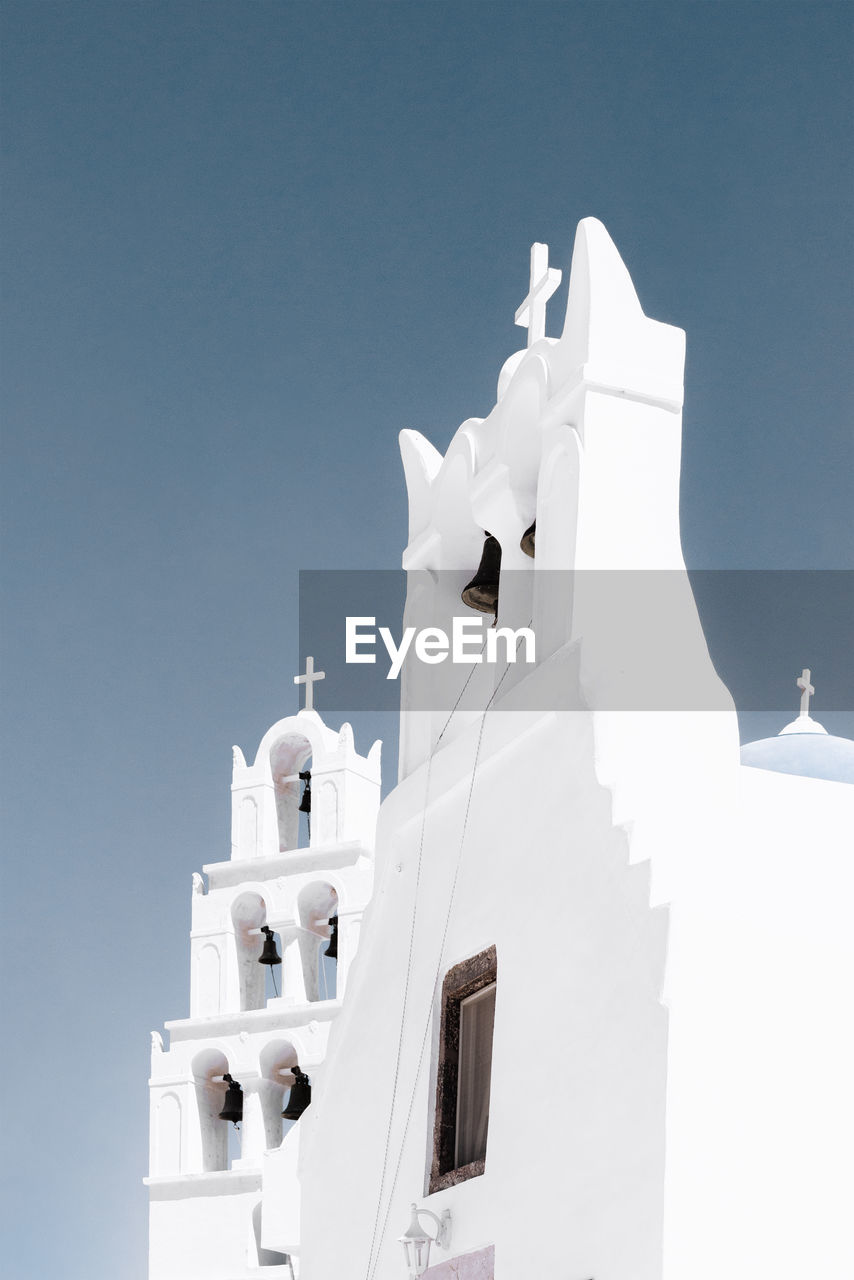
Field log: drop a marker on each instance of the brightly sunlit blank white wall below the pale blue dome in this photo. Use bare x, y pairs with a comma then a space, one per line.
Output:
761, 1107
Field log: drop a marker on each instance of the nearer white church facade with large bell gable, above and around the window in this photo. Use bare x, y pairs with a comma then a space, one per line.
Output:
586, 435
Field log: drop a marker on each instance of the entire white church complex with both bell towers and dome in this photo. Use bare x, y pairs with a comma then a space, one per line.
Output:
592, 1011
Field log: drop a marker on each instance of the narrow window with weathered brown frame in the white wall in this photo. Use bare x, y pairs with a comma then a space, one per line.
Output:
464, 1071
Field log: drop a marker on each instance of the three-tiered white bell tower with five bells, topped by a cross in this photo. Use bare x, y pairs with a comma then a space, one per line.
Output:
275, 932
